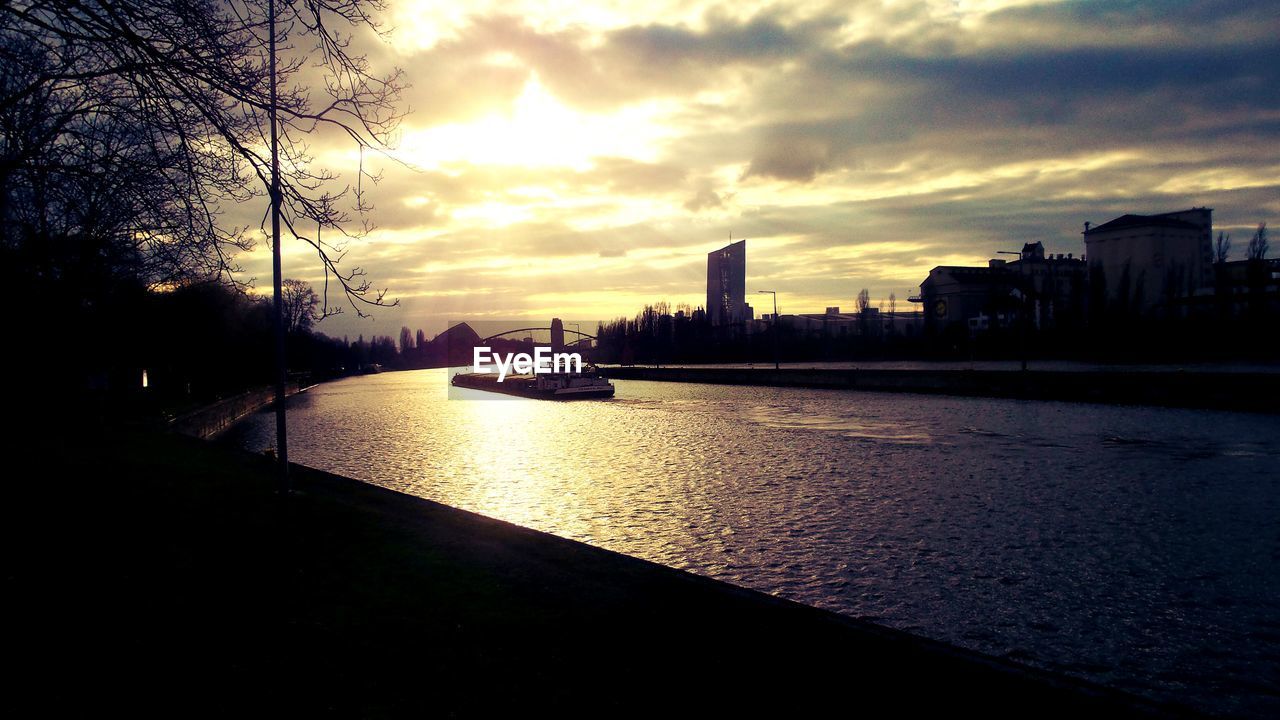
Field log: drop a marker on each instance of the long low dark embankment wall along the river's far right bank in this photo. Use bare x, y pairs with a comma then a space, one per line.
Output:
1174, 389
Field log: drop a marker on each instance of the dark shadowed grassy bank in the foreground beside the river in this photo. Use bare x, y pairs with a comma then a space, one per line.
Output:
159, 575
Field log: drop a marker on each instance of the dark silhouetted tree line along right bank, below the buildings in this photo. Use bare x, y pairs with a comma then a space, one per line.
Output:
1236, 320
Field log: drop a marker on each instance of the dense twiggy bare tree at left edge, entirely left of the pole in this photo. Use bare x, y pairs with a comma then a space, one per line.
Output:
90, 189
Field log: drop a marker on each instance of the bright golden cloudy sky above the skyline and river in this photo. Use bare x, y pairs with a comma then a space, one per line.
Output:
580, 160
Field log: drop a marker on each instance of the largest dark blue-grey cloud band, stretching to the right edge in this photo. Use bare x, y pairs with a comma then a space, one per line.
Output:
1021, 104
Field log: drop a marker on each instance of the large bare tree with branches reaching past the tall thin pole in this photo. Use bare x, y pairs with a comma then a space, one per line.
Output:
166, 106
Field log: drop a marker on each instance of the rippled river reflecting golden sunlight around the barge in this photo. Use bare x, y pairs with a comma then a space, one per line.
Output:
1137, 548
